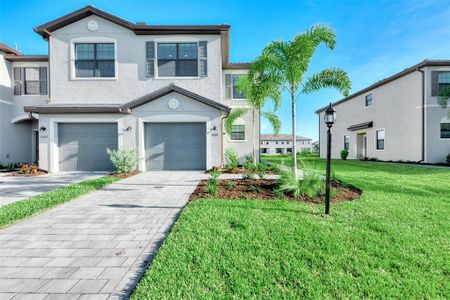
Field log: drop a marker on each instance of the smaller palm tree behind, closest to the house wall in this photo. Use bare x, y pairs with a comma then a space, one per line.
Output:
257, 94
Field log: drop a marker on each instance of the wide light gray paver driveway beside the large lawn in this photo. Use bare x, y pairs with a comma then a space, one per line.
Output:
96, 246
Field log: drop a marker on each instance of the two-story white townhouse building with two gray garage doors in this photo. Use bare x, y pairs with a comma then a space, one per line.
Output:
110, 83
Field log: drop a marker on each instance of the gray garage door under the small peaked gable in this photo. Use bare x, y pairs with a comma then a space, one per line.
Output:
175, 146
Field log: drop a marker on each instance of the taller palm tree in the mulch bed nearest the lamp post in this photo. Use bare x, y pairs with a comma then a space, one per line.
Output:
282, 67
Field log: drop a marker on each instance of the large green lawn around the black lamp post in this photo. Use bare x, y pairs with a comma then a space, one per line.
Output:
394, 242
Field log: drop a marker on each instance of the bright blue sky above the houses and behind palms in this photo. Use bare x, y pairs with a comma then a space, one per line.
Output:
374, 38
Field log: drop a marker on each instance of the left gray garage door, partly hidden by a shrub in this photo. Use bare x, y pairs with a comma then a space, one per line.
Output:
82, 146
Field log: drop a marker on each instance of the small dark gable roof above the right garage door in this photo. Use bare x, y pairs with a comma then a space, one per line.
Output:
173, 88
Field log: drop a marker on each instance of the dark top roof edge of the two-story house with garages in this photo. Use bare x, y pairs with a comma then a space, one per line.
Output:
223, 30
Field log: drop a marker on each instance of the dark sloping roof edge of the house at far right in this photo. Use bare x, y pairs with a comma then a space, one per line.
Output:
416, 67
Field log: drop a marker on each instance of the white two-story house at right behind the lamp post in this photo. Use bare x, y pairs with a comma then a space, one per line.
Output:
397, 118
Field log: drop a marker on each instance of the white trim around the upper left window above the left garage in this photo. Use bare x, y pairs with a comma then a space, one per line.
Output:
92, 40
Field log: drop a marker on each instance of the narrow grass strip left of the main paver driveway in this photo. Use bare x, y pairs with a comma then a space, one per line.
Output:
17, 211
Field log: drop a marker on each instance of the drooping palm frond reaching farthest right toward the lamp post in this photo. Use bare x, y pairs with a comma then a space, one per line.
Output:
331, 77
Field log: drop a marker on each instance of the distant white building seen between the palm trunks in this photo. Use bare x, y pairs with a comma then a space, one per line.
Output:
282, 144
